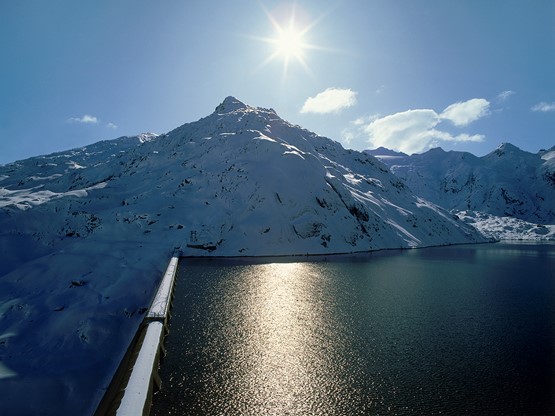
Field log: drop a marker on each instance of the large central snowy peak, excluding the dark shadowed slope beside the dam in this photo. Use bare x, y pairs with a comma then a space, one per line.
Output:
239, 182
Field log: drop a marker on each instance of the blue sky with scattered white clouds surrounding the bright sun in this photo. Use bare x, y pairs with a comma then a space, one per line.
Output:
464, 75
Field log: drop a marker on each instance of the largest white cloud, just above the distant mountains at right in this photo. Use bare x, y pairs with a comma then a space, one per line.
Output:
414, 131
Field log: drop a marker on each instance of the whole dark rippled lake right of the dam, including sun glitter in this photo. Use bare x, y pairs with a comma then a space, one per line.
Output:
461, 330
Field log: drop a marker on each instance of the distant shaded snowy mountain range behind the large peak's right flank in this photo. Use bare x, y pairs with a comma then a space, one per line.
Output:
508, 182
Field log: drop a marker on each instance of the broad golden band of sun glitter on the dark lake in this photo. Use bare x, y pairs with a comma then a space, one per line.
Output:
283, 356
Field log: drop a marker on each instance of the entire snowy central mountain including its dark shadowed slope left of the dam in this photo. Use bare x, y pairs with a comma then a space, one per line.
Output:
86, 234
